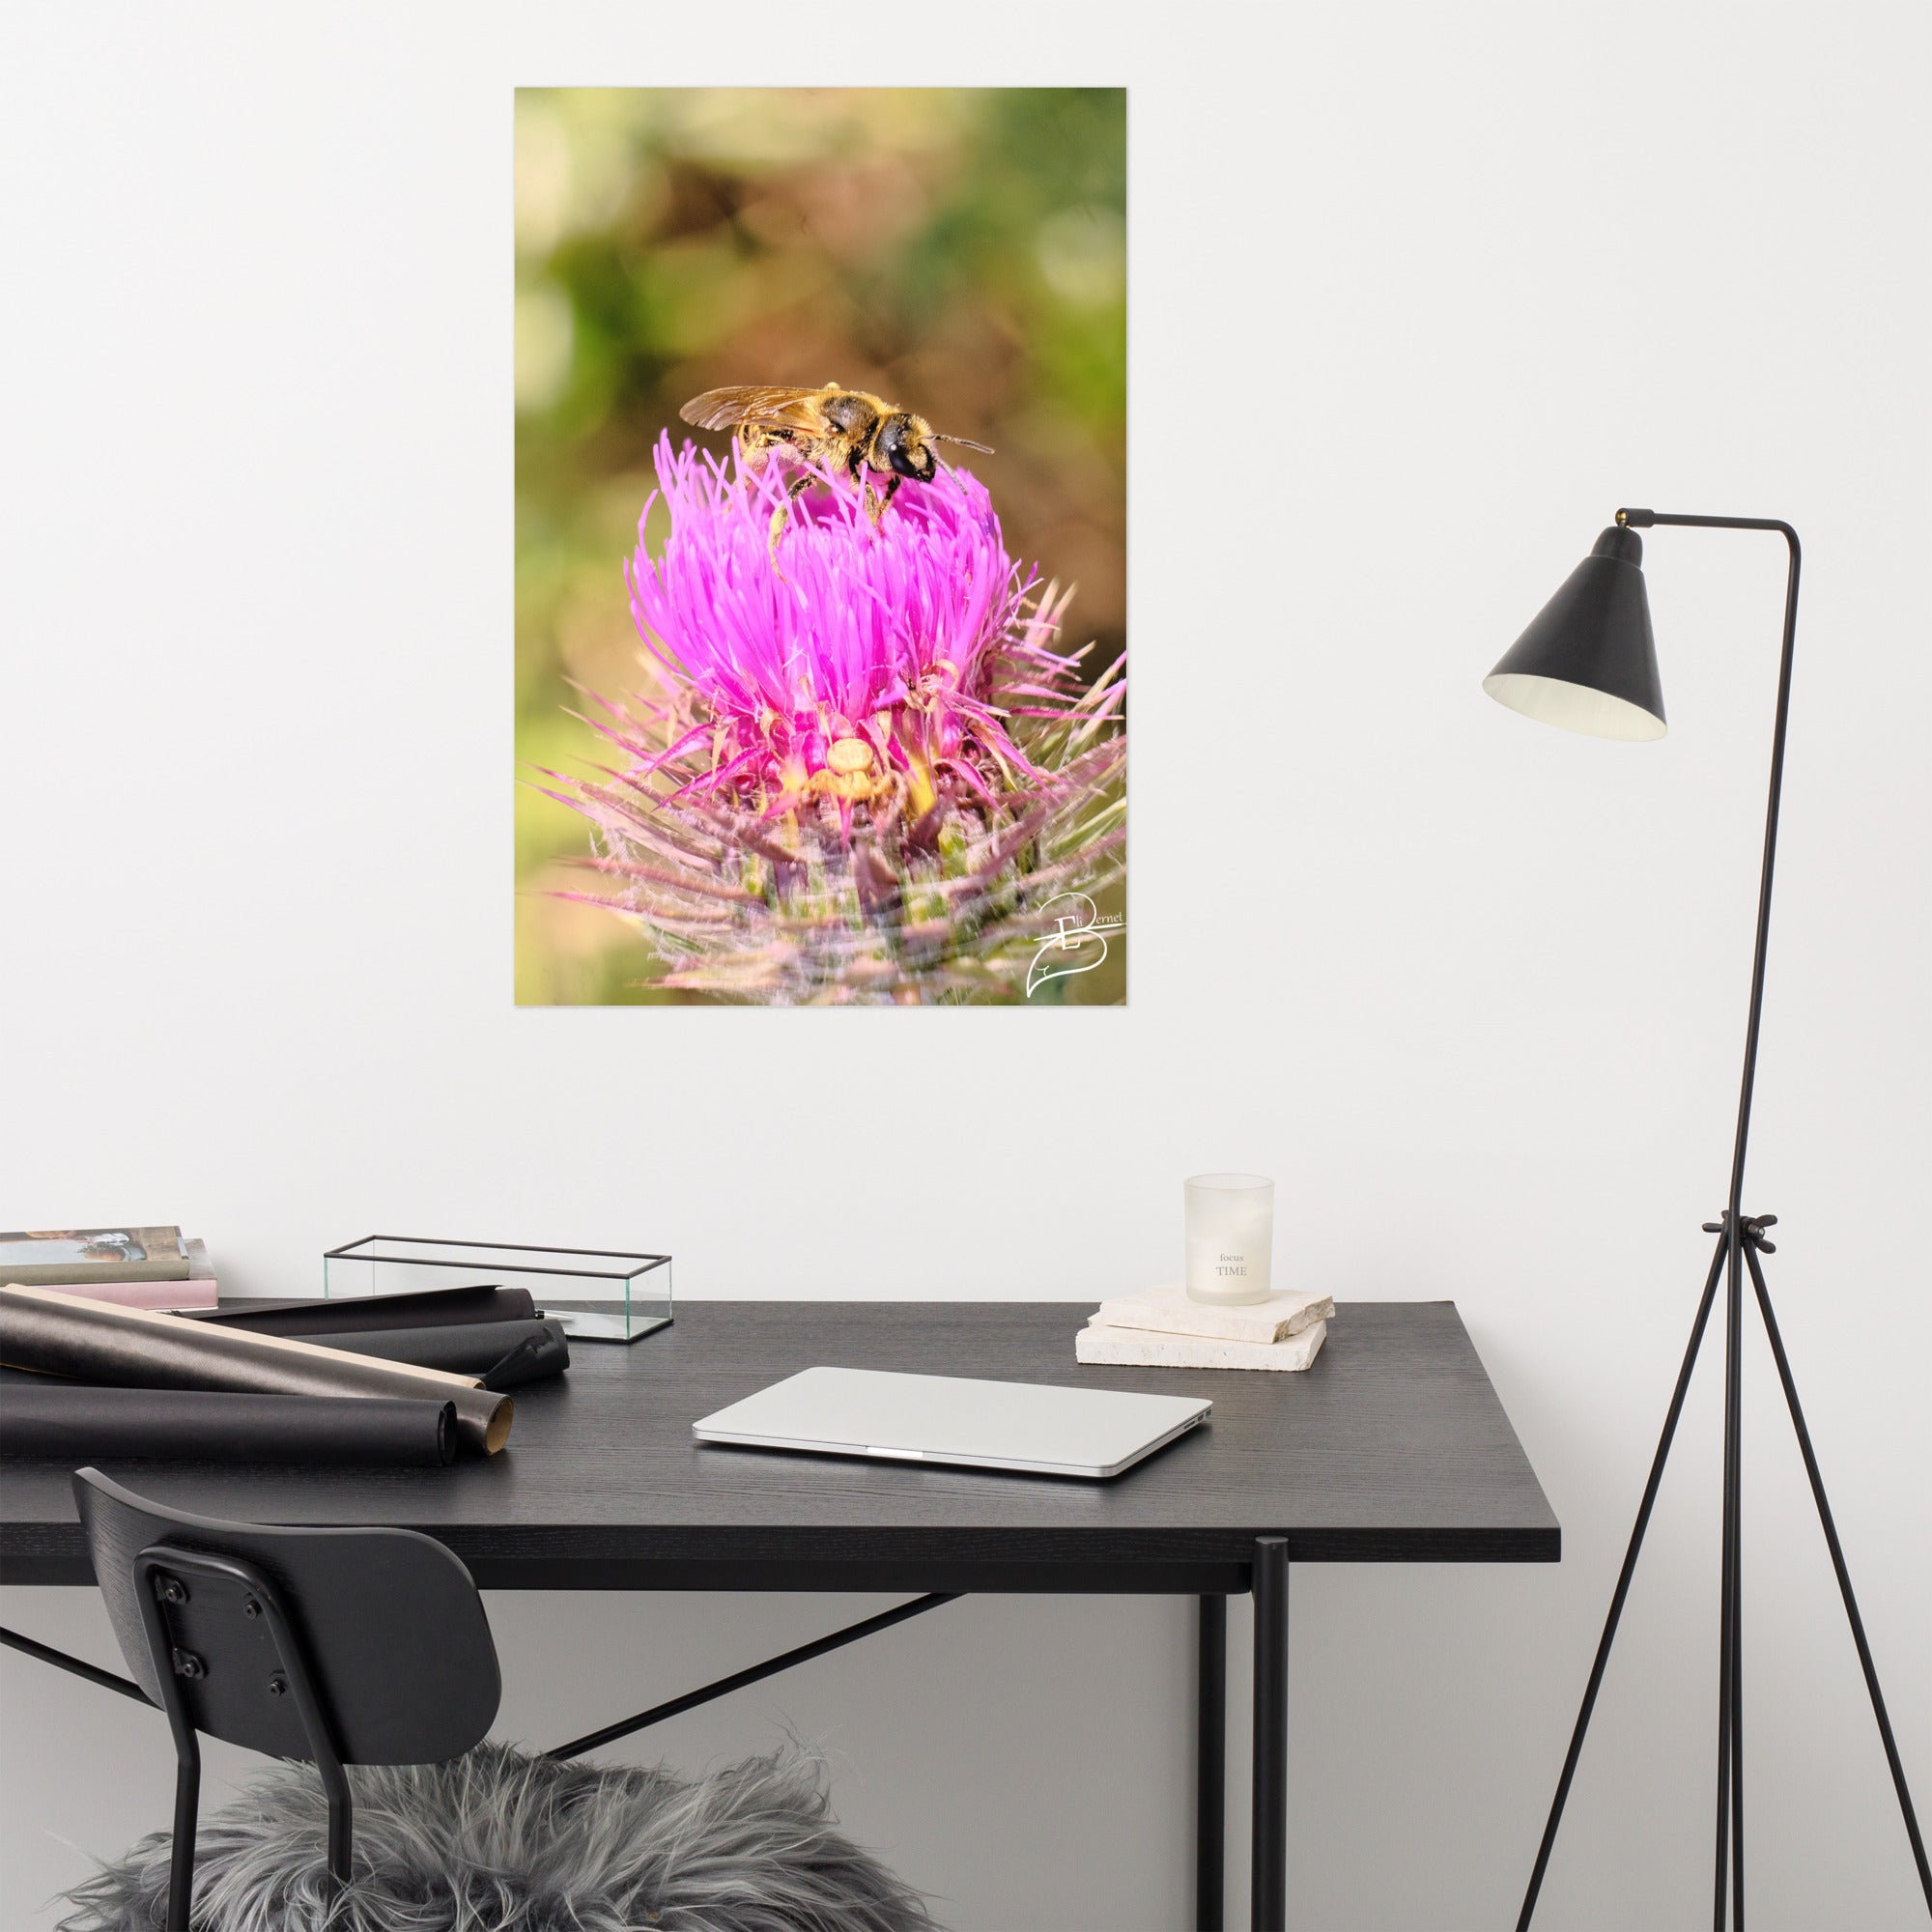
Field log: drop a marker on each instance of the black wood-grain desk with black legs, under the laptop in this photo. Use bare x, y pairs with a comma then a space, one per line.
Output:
1392, 1450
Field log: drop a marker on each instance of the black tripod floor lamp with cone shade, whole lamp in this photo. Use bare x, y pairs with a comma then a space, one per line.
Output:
1589, 664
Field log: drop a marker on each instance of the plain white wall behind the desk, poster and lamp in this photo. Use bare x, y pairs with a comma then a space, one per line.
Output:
1421, 295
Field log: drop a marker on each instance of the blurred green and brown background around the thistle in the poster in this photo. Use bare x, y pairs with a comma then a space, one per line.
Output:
961, 252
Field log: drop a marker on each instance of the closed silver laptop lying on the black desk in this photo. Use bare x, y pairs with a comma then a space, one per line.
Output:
946, 1419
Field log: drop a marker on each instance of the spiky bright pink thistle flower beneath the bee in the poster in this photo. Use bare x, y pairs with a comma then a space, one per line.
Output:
870, 768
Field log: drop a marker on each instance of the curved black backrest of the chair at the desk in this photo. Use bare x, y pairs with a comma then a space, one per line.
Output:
389, 1628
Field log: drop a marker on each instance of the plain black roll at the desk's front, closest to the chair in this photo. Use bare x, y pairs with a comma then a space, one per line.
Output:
76, 1425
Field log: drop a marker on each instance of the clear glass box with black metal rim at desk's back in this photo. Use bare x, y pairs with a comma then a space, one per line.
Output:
598, 1295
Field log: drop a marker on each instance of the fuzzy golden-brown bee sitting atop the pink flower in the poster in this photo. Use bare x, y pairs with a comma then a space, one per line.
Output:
828, 428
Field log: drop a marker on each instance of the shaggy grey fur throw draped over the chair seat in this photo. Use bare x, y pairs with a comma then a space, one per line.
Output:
497, 1842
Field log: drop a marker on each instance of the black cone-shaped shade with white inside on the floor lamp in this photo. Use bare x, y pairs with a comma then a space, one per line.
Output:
1589, 662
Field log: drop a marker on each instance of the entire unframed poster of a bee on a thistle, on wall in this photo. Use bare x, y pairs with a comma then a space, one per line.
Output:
822, 546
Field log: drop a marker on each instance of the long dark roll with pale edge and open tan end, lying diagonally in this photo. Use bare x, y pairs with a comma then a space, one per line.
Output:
144, 1350
